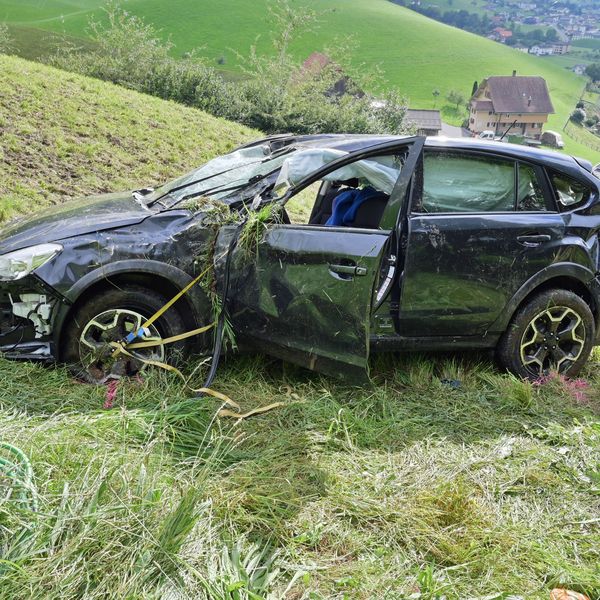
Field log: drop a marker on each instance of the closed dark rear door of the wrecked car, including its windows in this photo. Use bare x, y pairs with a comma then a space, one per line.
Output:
480, 228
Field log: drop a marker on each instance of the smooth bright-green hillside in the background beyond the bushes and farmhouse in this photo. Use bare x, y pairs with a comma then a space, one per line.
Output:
416, 54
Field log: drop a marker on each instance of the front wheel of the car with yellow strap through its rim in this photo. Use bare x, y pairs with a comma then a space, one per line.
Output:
109, 316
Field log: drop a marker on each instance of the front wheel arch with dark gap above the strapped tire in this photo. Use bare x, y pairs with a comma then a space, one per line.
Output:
157, 276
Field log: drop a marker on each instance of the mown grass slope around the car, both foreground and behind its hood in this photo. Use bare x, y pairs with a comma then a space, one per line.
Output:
491, 487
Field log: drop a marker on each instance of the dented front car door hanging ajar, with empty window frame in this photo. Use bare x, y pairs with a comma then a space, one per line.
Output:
305, 293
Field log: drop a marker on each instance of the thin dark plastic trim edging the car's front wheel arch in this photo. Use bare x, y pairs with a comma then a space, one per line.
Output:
196, 296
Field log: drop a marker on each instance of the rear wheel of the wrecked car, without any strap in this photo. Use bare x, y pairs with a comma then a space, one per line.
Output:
554, 331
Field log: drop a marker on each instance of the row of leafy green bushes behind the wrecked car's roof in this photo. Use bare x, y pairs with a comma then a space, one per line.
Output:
277, 95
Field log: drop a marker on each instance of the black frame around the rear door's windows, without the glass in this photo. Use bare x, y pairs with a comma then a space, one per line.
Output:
542, 176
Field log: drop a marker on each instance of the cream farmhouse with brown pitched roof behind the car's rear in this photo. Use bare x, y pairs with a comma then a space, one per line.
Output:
521, 104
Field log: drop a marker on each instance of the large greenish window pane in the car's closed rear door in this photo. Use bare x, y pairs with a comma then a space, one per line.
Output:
460, 183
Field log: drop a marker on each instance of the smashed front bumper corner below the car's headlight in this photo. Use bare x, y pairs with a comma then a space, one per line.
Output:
27, 313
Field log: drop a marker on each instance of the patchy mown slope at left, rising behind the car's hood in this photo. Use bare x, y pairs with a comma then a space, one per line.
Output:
65, 135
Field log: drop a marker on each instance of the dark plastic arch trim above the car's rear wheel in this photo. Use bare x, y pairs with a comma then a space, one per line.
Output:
571, 270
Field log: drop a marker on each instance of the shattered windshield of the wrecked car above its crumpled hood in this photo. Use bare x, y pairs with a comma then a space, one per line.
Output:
218, 176
